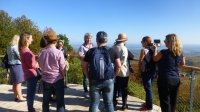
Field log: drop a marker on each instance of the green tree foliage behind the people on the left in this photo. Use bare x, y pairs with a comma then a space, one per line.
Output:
11, 26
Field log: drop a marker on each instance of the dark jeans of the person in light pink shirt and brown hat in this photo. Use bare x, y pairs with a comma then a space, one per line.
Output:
58, 87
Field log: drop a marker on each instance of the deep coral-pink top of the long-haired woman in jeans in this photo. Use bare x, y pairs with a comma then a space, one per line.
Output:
28, 63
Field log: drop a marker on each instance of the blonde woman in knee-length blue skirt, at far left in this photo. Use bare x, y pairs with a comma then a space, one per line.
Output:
16, 72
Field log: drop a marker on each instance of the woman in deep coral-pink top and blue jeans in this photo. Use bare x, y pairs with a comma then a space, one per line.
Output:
29, 66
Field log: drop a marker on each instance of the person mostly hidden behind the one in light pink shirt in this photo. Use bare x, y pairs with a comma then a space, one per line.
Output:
60, 45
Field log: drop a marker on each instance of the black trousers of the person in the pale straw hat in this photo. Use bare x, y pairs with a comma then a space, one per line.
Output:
121, 84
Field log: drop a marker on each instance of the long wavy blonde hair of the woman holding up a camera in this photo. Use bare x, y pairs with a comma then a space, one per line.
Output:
175, 45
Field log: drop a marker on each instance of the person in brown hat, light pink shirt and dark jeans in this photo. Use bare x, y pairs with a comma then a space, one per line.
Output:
52, 63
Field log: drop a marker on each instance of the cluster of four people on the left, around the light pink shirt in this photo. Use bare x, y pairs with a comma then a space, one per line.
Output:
24, 64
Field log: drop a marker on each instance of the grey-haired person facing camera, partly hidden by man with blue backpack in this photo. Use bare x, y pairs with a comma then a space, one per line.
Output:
81, 52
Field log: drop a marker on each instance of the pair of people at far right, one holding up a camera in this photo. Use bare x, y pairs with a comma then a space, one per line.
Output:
163, 65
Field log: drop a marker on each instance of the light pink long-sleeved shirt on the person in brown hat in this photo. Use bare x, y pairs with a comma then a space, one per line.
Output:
52, 63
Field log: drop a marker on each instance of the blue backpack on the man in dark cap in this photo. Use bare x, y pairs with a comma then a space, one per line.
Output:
101, 67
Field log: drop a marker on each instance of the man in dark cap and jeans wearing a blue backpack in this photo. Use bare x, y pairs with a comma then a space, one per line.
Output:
98, 67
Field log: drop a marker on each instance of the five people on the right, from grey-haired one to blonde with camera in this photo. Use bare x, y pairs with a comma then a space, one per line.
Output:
163, 65
